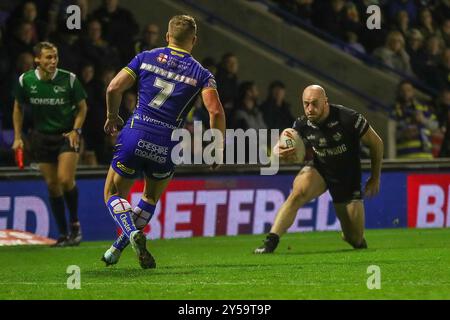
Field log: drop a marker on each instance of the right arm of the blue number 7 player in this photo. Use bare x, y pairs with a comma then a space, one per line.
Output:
216, 113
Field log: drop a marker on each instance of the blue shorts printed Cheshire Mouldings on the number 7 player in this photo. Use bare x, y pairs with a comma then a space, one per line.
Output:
141, 151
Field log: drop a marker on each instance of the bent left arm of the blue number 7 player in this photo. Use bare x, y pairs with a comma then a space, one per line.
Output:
121, 82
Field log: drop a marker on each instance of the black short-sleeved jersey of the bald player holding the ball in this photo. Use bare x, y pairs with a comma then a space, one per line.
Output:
335, 142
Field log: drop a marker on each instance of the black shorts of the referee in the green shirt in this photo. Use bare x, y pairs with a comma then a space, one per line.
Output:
47, 147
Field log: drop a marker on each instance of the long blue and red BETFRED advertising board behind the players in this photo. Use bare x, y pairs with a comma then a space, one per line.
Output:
229, 205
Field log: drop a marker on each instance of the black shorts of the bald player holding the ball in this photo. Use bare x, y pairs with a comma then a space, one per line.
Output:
342, 189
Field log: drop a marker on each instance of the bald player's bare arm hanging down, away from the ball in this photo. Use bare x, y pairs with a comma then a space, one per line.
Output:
376, 146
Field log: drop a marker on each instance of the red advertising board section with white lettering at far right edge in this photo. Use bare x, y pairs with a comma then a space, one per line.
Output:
428, 200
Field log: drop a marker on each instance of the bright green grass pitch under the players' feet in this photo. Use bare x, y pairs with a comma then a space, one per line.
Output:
414, 264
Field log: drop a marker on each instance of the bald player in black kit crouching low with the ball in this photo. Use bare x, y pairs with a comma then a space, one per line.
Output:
334, 132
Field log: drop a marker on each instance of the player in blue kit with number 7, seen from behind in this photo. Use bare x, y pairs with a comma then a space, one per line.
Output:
169, 81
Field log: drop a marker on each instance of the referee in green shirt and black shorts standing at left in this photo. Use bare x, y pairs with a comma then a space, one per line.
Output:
58, 105
